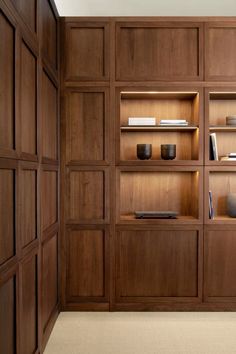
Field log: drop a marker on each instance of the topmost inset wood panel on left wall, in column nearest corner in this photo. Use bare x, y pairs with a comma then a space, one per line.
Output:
49, 33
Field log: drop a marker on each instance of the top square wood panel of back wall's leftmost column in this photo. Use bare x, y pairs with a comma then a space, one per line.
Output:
87, 51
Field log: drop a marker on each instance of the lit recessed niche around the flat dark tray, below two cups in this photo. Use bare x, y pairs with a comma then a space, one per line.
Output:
159, 190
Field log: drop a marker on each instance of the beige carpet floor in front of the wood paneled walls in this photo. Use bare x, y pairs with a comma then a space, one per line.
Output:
143, 333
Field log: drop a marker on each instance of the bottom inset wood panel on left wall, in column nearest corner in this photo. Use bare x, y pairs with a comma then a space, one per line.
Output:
49, 279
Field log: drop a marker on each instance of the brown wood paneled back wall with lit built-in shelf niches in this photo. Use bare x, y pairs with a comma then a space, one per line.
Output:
110, 259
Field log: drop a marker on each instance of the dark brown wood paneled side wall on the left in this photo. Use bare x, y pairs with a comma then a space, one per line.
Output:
29, 167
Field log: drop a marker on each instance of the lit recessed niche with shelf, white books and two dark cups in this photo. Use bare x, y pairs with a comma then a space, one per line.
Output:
161, 105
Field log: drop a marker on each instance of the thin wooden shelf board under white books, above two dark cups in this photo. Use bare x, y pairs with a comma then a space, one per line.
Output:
158, 128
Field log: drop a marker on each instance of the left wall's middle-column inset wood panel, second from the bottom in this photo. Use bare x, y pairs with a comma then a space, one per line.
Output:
28, 209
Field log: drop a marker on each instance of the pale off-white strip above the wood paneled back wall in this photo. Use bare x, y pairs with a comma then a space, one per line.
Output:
146, 8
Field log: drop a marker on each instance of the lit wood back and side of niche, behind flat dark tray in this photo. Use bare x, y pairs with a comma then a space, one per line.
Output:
158, 191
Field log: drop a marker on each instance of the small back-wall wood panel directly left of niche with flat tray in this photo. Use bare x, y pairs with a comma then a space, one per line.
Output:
86, 195
